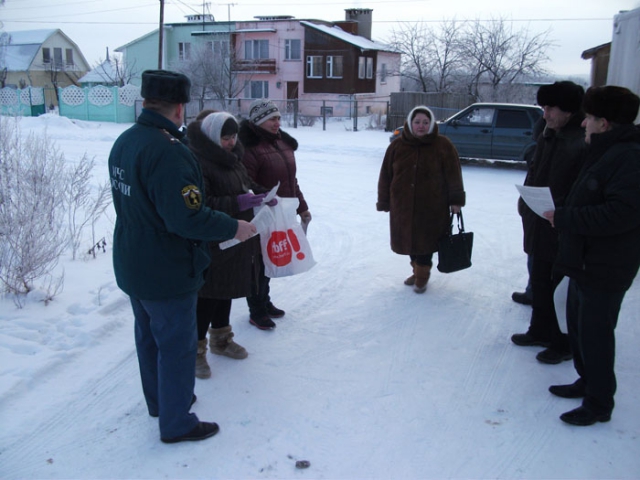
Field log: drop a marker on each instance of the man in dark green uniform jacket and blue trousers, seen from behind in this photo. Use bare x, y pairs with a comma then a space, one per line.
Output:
160, 249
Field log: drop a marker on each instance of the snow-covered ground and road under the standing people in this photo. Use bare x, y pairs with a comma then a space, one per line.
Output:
363, 378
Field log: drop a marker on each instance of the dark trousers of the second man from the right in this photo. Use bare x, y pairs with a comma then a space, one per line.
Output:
544, 321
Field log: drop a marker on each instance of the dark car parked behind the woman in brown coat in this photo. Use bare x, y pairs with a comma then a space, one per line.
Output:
500, 131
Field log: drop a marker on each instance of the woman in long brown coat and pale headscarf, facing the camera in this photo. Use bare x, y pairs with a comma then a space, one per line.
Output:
420, 184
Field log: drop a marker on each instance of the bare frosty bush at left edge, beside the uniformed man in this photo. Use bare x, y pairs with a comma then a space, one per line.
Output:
45, 205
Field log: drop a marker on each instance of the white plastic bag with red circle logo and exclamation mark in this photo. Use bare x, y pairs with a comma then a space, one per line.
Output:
285, 248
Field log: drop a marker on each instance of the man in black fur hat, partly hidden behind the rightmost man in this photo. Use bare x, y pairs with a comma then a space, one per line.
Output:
556, 163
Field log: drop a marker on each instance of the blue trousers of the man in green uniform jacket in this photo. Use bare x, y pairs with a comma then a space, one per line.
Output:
165, 333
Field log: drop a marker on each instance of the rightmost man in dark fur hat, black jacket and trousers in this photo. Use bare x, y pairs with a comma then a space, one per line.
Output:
599, 249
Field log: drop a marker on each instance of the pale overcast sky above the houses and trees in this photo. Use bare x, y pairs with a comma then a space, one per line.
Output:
94, 25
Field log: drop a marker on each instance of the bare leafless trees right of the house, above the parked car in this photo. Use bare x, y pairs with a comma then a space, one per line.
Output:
458, 56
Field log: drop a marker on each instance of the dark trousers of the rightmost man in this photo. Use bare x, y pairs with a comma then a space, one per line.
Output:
592, 316
